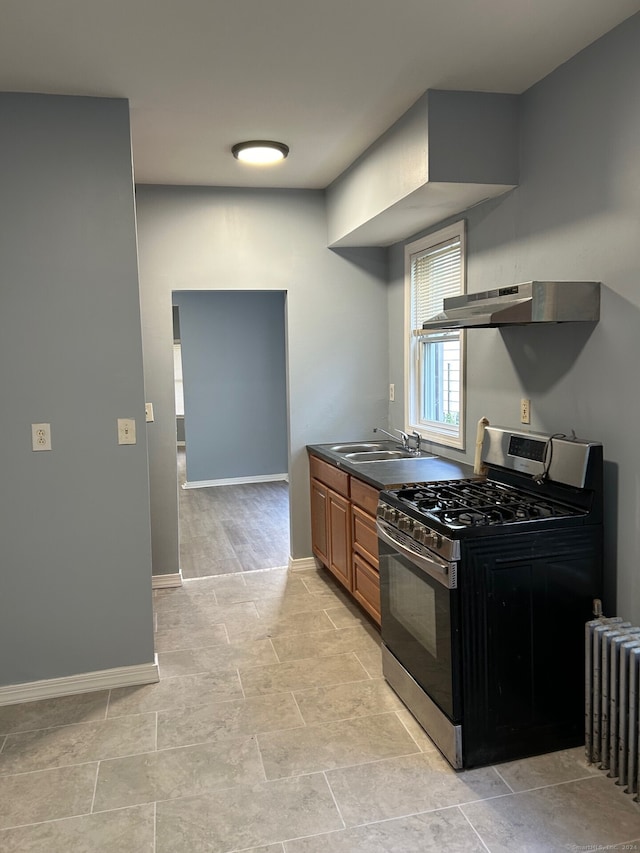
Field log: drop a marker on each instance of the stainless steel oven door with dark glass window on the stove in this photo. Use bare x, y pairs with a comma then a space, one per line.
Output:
420, 616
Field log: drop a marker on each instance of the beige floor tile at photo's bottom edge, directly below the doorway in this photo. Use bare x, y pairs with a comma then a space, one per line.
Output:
246, 817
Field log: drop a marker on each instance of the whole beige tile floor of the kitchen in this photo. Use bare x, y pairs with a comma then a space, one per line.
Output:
272, 731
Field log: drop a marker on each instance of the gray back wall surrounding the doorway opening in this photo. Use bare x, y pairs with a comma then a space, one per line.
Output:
219, 238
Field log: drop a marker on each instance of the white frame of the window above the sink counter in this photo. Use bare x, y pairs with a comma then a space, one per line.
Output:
432, 431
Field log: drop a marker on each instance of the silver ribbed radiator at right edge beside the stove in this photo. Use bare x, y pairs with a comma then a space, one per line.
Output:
612, 695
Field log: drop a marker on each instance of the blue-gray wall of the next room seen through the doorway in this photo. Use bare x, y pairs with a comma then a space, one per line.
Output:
234, 372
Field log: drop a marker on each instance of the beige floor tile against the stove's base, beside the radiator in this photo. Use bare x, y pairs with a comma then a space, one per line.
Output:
562, 766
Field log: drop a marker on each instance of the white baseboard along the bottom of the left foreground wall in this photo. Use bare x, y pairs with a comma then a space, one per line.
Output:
86, 682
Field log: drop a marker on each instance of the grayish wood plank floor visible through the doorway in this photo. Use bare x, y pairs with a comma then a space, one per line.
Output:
227, 529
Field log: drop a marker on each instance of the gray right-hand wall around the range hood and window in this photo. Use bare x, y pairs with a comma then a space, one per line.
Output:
574, 216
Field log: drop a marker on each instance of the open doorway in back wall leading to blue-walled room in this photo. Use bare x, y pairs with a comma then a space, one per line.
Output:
231, 431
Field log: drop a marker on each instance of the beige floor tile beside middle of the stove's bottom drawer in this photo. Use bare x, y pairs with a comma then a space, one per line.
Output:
342, 701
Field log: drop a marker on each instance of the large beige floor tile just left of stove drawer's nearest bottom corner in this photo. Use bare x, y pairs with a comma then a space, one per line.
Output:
330, 745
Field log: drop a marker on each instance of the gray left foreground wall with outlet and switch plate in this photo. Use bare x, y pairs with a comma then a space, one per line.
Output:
75, 574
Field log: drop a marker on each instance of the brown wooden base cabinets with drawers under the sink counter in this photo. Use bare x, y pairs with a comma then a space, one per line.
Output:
343, 531
